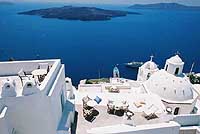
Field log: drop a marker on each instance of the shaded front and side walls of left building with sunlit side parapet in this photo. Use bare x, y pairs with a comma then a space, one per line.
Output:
38, 113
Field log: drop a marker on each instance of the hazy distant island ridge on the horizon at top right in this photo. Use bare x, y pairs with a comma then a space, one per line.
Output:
163, 6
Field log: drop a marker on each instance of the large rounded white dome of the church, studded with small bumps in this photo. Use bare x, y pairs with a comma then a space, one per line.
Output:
170, 87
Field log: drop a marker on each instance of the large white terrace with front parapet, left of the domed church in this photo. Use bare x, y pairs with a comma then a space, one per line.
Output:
140, 102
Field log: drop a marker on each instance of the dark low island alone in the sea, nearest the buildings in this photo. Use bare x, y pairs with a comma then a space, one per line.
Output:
78, 13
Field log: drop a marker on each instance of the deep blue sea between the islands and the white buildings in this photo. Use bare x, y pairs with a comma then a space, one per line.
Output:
87, 48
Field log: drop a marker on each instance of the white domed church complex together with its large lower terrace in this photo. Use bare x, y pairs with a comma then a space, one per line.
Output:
166, 93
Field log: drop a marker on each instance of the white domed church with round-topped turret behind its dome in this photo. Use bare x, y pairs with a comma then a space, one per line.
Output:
174, 88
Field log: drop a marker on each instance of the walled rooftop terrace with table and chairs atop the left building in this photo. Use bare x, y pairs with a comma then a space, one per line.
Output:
15, 76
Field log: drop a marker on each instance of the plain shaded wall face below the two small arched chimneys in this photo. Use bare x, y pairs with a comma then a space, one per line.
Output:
31, 115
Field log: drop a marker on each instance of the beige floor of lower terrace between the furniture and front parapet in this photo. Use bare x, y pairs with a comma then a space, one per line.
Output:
105, 119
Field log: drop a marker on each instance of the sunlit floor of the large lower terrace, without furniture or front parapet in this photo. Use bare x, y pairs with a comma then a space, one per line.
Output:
139, 103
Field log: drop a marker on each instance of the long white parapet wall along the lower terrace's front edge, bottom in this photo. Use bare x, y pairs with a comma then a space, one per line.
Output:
161, 128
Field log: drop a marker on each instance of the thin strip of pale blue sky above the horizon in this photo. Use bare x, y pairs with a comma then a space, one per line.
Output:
127, 2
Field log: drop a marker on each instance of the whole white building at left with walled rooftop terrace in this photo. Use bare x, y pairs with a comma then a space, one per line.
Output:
32, 100
